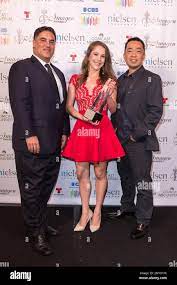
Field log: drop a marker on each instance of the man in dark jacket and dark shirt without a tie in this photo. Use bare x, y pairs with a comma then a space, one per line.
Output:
138, 112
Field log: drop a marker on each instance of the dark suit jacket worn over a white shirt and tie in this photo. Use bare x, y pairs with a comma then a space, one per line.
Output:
34, 106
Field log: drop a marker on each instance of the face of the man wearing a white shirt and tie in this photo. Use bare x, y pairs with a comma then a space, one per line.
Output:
44, 45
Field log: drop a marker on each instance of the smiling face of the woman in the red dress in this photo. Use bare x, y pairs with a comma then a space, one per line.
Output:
96, 58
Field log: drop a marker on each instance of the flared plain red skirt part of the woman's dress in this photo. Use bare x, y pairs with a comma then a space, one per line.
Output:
89, 143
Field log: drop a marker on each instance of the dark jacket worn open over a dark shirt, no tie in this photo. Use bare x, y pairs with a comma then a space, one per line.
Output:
143, 105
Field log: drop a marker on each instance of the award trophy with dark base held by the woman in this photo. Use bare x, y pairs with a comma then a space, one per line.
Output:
94, 112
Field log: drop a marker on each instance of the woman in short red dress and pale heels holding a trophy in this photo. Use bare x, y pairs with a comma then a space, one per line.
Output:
92, 142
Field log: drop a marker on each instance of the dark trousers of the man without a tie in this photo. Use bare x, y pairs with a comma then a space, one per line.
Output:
134, 170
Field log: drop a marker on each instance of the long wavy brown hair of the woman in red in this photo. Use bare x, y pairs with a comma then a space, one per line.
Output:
105, 72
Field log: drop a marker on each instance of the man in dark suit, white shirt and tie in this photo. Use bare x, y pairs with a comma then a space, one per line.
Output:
37, 91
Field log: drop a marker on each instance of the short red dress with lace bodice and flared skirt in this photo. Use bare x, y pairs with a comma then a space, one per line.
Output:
89, 143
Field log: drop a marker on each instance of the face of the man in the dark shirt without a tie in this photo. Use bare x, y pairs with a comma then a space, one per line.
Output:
134, 55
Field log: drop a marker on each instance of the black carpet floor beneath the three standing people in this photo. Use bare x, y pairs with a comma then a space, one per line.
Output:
111, 246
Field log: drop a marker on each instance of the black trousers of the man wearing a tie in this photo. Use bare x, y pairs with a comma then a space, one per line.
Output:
37, 175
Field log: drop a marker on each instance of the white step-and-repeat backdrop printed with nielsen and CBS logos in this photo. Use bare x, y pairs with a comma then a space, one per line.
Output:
77, 23
